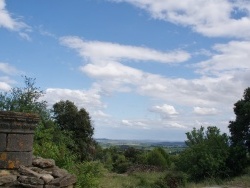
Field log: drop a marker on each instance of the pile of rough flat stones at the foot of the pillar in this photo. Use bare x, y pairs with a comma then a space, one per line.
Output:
42, 174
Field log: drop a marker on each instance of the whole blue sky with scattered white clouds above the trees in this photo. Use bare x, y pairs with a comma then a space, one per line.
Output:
143, 69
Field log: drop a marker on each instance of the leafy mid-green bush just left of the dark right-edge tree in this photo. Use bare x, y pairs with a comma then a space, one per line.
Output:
206, 155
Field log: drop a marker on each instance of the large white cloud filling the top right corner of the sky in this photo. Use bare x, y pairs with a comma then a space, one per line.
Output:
208, 17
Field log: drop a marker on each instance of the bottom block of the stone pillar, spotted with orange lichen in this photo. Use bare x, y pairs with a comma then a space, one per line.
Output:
12, 160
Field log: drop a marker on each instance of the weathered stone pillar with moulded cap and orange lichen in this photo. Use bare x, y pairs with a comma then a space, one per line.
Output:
16, 139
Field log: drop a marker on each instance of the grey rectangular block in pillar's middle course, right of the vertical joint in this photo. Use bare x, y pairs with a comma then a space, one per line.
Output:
19, 142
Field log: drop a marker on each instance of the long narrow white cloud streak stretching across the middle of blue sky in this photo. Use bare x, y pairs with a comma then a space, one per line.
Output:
98, 51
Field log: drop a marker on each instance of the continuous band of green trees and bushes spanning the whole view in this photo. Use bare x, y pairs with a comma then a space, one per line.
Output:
65, 133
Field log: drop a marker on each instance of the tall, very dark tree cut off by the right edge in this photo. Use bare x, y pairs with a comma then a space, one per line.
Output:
240, 134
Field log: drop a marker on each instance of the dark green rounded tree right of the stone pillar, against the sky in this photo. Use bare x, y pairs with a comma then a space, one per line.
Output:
78, 122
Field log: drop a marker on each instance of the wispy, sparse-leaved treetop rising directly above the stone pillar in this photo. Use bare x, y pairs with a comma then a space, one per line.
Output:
24, 99
